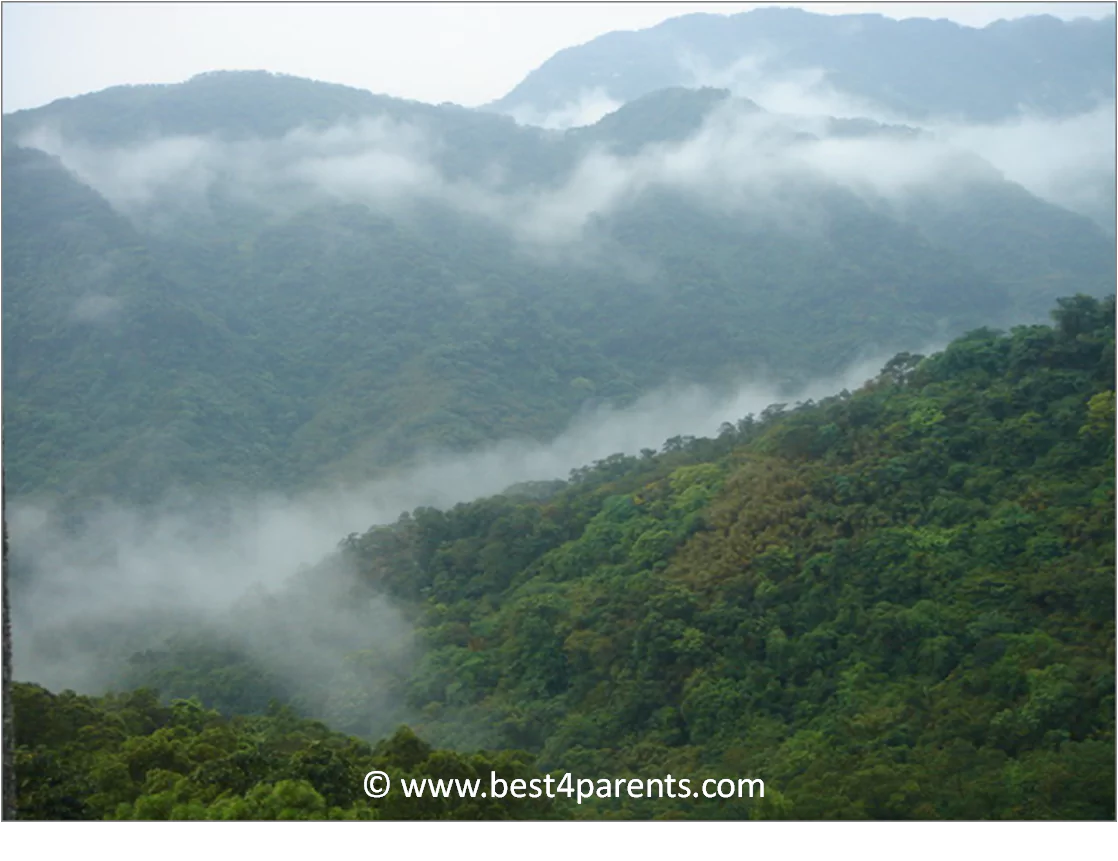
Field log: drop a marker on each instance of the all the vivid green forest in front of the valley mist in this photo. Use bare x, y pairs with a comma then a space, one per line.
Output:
896, 603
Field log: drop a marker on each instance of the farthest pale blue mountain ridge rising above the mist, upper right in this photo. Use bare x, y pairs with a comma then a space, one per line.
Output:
915, 69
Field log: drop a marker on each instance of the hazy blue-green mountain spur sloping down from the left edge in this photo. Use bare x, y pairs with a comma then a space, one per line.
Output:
113, 372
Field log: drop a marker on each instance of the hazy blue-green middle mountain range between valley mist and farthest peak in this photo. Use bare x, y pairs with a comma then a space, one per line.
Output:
258, 282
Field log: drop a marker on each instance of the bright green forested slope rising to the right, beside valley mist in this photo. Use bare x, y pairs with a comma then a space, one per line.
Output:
898, 604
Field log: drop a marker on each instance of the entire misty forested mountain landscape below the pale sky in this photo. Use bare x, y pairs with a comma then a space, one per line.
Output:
734, 400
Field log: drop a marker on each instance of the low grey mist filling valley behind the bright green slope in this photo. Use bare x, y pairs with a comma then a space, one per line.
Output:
263, 575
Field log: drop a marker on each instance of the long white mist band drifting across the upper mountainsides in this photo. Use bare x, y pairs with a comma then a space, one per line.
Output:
741, 162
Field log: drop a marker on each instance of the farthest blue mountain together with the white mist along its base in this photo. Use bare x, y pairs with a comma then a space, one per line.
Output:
1013, 91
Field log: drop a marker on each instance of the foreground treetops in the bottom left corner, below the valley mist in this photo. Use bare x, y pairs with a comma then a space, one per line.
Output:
130, 758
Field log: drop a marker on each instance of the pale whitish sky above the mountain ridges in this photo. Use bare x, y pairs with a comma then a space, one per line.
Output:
465, 53
